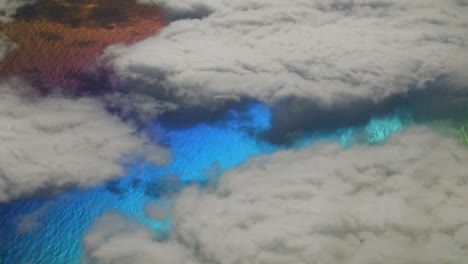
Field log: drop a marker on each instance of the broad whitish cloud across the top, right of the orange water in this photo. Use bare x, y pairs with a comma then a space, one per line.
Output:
330, 51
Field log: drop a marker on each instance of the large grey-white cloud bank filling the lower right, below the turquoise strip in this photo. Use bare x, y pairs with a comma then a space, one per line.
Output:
400, 202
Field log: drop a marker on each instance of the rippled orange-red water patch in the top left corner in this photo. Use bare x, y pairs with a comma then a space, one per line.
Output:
58, 41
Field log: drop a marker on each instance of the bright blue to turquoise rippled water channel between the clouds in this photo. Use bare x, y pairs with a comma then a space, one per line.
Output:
199, 154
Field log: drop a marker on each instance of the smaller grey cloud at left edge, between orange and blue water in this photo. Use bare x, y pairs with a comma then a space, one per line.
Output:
55, 142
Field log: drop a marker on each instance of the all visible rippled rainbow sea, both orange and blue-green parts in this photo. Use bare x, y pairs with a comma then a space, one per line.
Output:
57, 52
